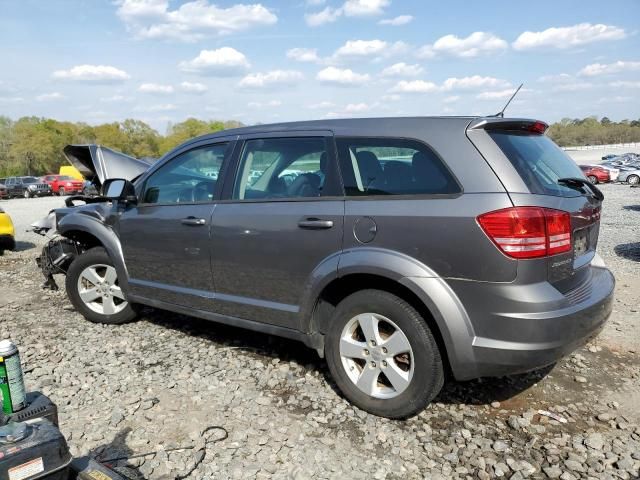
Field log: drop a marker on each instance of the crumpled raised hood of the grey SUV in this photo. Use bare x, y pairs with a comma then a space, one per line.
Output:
97, 163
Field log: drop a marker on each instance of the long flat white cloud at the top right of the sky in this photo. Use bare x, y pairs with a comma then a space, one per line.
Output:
568, 37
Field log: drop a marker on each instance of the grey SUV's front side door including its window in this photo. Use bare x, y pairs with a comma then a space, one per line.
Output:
165, 238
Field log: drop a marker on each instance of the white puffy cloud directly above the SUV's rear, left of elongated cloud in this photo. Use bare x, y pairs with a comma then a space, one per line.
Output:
476, 44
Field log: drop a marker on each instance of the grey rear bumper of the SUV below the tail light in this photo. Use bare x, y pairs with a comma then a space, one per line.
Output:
520, 328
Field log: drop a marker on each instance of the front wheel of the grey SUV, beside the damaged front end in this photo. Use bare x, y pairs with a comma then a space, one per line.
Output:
93, 288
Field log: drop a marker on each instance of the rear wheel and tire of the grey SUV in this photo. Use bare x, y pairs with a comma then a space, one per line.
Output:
382, 355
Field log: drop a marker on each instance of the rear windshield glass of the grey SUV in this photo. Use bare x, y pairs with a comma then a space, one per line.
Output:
539, 161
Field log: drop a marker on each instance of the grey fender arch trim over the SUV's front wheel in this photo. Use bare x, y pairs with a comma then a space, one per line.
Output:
96, 227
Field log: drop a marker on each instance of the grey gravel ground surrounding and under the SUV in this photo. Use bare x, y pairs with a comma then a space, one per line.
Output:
163, 382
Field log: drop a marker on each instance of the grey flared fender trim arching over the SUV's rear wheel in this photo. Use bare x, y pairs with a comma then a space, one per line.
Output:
448, 312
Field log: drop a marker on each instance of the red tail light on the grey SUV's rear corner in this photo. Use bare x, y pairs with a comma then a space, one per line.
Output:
528, 232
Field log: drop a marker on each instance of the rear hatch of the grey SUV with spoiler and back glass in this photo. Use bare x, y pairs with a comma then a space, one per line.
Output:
537, 173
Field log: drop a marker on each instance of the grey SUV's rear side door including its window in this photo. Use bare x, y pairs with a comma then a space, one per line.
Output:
283, 219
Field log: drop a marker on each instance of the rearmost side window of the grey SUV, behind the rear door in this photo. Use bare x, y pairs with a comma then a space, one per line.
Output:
392, 166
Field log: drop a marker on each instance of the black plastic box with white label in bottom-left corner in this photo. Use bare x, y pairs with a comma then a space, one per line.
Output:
40, 452
